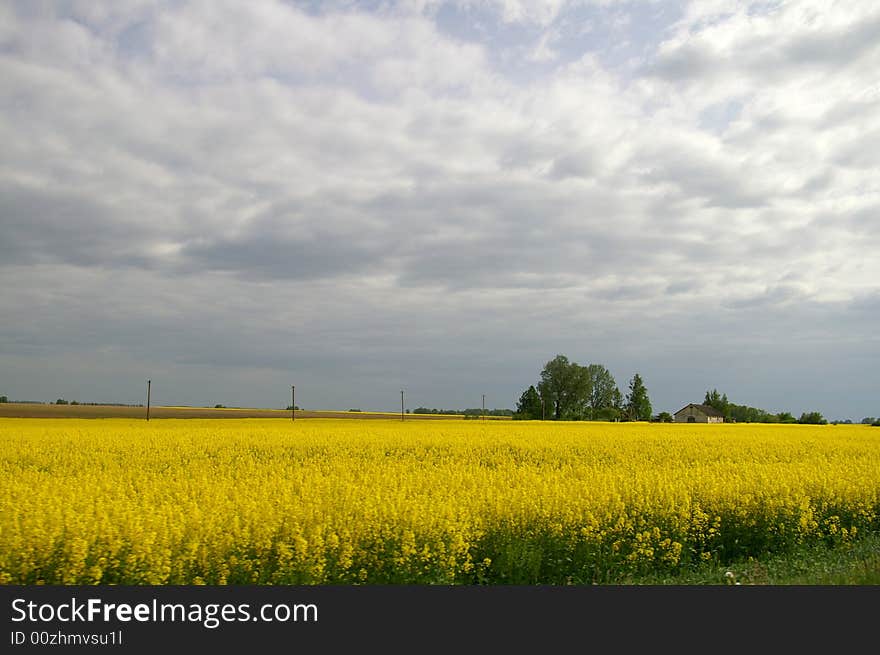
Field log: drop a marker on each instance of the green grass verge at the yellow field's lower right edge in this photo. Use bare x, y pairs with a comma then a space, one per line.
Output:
853, 564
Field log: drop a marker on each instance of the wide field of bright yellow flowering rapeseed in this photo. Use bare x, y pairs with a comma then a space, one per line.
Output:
268, 501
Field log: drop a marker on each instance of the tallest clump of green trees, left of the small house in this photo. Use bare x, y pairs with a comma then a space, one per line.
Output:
568, 391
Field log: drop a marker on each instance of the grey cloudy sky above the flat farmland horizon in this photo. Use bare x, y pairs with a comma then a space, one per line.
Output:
357, 198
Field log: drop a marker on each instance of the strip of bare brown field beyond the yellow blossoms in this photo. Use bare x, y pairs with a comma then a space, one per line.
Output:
29, 410
